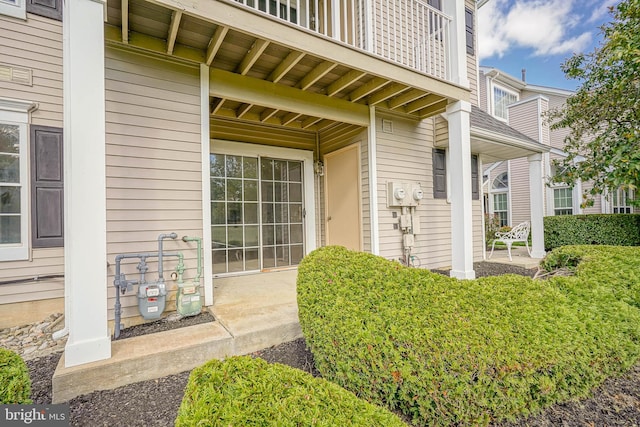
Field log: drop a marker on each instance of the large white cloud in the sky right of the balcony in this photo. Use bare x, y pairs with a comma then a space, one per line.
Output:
545, 26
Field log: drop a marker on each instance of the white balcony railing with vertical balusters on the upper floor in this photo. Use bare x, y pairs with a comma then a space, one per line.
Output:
407, 32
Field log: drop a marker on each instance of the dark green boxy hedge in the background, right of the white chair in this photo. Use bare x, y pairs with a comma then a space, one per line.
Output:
605, 229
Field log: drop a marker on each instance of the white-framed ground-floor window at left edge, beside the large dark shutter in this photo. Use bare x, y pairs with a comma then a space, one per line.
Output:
14, 215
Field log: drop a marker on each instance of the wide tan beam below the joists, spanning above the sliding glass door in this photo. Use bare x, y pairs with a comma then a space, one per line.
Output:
272, 95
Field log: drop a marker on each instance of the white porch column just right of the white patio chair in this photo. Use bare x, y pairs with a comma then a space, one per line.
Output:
536, 195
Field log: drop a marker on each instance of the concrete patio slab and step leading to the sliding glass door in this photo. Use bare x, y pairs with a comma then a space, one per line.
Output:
252, 312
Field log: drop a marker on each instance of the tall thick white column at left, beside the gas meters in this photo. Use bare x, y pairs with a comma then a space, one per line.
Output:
85, 239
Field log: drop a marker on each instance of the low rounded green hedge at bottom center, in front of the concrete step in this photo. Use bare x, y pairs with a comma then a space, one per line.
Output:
242, 391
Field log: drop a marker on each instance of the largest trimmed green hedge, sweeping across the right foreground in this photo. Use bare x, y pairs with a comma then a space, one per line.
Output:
450, 352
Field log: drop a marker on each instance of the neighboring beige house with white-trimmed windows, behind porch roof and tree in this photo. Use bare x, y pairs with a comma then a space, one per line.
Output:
506, 184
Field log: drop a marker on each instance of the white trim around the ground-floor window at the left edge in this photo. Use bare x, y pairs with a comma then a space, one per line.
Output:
16, 112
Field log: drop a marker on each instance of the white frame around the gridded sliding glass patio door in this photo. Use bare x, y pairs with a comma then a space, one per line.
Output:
305, 156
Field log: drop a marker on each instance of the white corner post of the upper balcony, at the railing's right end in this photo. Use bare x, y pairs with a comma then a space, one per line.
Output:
457, 41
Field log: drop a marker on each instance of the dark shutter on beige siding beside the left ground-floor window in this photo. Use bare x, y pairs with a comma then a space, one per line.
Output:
47, 187
